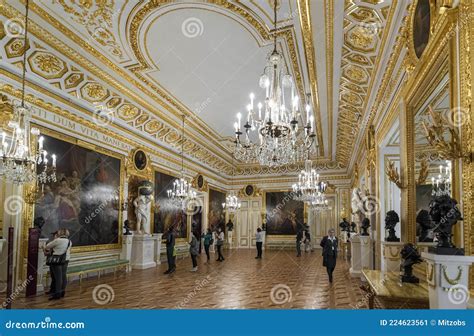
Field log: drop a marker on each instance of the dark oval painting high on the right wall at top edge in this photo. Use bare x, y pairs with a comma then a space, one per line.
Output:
421, 26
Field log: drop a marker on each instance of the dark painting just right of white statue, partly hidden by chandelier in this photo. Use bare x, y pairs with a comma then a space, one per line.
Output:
166, 212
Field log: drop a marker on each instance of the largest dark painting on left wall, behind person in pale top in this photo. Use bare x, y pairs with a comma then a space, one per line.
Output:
84, 197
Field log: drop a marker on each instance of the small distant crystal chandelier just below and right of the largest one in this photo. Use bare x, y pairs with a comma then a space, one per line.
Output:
309, 187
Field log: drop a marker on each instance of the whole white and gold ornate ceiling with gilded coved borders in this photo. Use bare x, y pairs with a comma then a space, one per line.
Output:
151, 61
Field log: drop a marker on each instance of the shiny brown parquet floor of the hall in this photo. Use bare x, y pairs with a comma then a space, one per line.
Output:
279, 280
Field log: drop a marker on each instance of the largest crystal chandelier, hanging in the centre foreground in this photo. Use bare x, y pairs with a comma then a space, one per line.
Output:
276, 123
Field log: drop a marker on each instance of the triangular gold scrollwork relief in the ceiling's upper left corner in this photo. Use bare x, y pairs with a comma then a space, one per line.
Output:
98, 18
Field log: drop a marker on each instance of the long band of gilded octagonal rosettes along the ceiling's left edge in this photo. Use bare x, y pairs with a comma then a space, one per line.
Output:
59, 73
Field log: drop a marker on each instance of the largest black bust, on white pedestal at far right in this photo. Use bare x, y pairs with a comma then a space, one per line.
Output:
445, 214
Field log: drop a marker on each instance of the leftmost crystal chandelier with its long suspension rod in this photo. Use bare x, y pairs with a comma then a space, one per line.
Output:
22, 157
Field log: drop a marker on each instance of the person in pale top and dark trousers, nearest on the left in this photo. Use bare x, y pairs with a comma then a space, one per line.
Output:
58, 261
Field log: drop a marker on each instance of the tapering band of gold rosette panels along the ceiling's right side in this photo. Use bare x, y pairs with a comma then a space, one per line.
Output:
364, 27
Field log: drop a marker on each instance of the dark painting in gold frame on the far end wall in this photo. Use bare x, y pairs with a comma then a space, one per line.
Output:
284, 215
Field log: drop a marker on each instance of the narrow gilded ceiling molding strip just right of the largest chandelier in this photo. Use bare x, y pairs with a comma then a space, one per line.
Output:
307, 33
